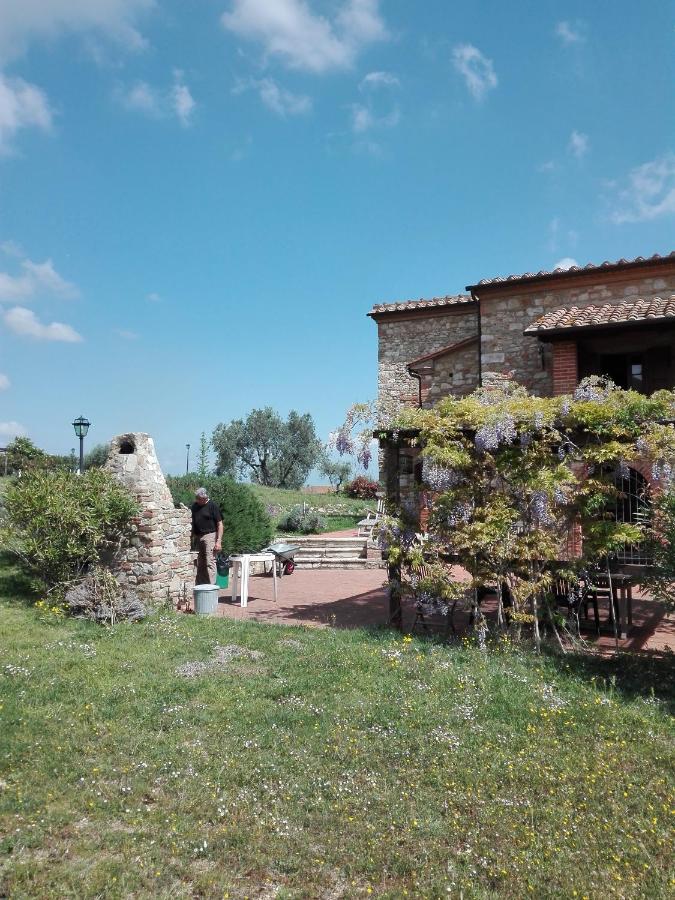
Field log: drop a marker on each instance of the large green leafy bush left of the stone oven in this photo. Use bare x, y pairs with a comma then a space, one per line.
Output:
59, 524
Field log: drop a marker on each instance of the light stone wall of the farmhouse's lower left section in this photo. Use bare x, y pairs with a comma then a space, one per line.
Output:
403, 338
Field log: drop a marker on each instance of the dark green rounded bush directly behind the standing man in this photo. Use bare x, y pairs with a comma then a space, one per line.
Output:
246, 525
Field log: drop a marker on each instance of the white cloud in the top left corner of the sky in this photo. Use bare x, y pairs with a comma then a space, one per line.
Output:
28, 20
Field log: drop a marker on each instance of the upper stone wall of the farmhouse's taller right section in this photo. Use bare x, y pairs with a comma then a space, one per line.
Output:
507, 311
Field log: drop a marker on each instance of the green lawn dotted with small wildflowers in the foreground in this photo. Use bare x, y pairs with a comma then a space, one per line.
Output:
322, 763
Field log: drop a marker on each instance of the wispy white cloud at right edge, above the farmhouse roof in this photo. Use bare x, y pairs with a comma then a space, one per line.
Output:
649, 194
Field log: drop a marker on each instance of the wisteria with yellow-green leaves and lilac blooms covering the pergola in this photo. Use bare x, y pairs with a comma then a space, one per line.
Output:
512, 476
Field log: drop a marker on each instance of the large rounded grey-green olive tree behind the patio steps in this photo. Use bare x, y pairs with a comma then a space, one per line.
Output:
267, 449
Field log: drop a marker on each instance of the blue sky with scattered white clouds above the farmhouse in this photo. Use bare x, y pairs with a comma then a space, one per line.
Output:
201, 200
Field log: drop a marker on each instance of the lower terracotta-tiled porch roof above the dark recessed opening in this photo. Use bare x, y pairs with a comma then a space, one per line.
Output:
608, 314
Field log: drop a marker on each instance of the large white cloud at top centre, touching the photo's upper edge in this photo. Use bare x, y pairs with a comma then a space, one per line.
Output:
291, 31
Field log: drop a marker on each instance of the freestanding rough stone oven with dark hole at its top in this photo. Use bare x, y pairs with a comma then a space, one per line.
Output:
156, 562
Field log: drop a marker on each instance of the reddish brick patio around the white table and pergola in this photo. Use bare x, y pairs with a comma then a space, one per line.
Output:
349, 599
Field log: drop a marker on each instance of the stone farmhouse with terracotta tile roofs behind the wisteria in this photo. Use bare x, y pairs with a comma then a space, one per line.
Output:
547, 331
